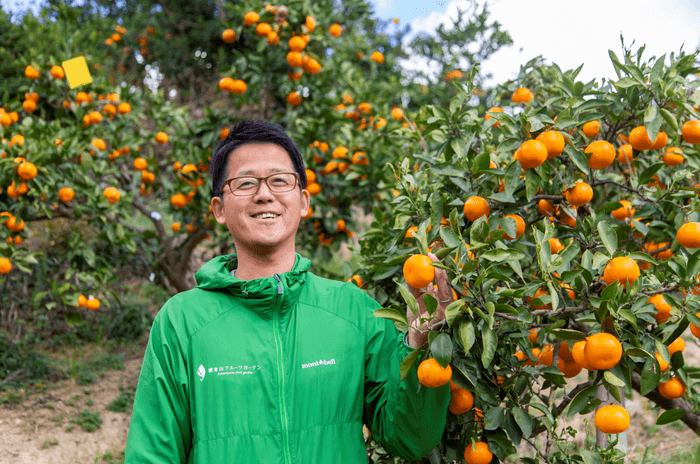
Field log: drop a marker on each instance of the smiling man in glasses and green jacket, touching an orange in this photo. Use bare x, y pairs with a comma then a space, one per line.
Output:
264, 362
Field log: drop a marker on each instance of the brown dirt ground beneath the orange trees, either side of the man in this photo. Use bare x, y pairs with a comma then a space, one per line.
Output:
34, 432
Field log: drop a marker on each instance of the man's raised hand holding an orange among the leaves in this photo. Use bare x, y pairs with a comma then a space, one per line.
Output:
443, 294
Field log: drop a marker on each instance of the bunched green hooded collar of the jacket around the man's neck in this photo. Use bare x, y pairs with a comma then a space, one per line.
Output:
259, 295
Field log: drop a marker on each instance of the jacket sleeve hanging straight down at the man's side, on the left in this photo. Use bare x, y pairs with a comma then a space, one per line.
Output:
160, 430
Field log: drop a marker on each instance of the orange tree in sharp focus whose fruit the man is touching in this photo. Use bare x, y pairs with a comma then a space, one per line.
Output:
571, 248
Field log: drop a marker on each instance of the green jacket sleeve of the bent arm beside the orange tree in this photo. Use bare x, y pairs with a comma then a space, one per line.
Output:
407, 422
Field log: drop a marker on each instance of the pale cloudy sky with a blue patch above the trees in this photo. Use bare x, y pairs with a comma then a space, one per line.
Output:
564, 32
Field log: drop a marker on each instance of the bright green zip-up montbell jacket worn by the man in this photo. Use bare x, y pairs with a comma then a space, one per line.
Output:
283, 369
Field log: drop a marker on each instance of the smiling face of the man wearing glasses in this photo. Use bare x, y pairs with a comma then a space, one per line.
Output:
237, 212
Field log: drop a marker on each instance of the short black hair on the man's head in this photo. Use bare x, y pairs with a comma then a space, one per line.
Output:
247, 131
